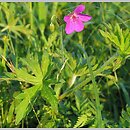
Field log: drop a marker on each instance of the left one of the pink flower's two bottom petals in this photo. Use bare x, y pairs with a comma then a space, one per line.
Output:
69, 27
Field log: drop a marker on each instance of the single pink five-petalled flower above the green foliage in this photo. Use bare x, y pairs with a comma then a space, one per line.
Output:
74, 21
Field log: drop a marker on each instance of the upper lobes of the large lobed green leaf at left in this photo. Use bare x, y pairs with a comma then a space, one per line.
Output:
33, 66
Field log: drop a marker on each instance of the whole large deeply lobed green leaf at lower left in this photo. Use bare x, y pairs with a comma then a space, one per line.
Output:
25, 104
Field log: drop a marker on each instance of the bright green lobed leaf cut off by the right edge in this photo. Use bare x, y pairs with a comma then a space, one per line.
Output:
121, 38
